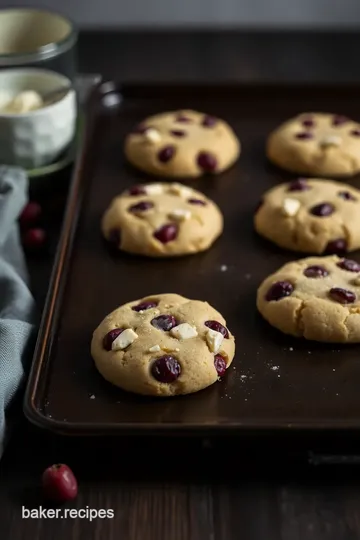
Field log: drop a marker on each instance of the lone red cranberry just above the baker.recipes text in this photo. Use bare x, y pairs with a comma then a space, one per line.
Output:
59, 483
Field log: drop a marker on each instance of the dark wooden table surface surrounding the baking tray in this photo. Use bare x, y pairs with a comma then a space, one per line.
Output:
173, 489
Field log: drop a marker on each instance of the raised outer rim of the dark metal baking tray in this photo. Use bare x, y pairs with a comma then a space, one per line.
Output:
59, 276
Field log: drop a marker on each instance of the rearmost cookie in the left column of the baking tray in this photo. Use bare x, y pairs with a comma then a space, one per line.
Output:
182, 144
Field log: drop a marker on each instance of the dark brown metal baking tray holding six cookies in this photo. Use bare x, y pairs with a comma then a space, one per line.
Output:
276, 383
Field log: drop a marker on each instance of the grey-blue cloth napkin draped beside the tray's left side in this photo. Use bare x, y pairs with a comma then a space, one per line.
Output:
17, 307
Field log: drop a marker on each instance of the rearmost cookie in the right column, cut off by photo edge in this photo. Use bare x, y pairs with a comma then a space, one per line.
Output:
316, 144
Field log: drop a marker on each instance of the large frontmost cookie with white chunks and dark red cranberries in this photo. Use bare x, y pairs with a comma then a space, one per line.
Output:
163, 345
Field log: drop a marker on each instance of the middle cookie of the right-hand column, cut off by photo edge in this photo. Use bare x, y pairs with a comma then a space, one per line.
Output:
313, 216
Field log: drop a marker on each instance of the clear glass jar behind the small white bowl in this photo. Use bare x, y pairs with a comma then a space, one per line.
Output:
37, 38
